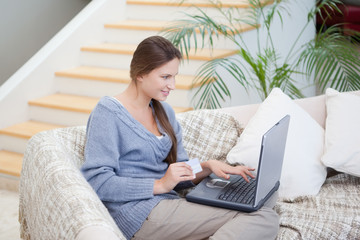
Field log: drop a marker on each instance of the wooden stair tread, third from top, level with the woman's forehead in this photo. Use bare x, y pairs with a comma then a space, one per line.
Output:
201, 54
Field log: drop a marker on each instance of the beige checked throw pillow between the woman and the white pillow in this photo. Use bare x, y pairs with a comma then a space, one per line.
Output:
208, 134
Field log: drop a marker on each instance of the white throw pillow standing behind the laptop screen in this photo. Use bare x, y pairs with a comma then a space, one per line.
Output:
302, 171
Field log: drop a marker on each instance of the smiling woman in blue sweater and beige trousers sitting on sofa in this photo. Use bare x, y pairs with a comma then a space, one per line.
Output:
135, 160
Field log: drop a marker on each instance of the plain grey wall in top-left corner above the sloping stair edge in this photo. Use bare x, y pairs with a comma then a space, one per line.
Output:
25, 26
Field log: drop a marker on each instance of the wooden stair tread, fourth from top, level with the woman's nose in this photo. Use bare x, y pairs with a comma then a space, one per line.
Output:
117, 75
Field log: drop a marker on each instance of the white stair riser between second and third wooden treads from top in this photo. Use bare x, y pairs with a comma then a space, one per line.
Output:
135, 36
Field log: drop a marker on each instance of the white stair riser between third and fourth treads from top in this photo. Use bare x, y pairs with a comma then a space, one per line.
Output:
110, 60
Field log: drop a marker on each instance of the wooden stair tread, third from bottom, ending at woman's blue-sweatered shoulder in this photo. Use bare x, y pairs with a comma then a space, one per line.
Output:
66, 102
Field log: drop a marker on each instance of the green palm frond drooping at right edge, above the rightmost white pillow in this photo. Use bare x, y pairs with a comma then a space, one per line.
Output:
333, 60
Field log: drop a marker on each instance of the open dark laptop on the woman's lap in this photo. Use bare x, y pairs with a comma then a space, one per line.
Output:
218, 192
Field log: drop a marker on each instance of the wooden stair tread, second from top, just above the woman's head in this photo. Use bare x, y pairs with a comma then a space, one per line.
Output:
158, 25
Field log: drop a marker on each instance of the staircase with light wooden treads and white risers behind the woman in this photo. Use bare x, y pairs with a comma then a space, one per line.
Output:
103, 70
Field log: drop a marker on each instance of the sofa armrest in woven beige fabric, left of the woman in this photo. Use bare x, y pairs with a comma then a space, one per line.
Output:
56, 202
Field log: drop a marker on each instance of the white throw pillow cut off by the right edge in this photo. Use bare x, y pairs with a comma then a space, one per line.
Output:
342, 141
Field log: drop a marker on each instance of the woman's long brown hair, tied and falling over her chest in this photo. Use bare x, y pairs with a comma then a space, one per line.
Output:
150, 54
